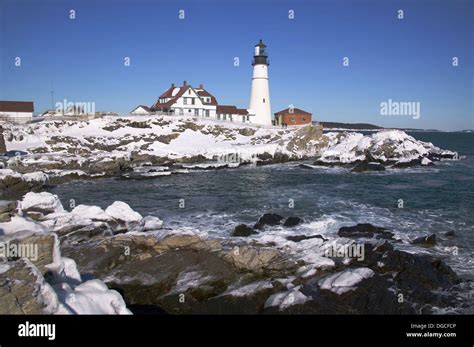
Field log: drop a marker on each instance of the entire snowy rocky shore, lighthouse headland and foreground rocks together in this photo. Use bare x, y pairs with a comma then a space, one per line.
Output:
89, 252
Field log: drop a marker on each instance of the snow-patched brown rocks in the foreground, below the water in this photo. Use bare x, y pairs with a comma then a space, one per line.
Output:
160, 270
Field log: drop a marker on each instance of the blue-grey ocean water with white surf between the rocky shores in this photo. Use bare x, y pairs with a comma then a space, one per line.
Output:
435, 199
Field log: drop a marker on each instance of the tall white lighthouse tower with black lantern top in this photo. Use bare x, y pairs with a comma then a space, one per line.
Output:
260, 95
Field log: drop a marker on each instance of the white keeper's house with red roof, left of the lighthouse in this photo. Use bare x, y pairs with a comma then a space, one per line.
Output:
187, 100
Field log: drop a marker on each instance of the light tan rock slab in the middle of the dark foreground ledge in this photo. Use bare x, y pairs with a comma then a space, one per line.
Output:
258, 259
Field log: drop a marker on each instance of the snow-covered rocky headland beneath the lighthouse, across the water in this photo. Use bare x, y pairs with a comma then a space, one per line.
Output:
55, 152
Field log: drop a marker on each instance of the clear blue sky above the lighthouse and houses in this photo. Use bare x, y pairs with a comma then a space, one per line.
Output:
402, 60
